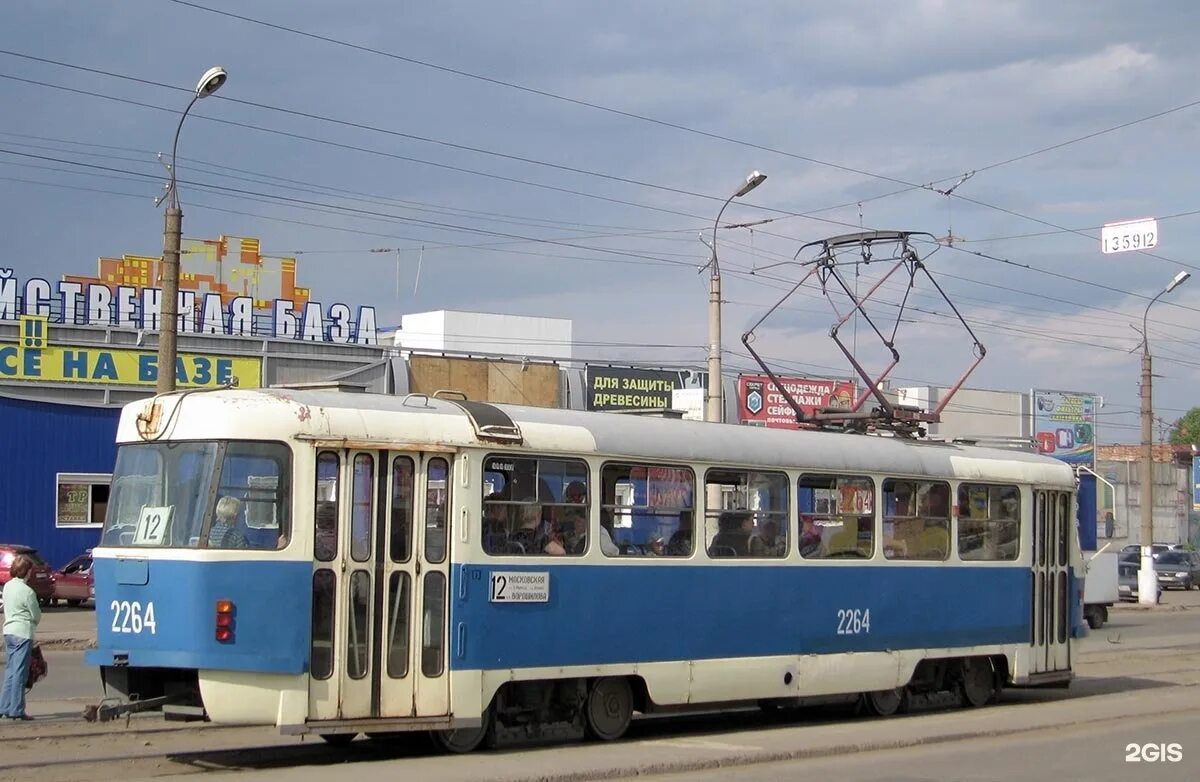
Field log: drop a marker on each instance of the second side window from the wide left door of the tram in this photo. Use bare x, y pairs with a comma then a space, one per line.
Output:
647, 510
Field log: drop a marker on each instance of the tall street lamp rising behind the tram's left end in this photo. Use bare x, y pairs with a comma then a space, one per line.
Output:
172, 233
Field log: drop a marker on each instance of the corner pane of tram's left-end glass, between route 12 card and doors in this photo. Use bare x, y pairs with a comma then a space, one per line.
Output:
257, 476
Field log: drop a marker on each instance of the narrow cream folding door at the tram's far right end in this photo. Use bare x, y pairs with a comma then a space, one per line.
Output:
1053, 527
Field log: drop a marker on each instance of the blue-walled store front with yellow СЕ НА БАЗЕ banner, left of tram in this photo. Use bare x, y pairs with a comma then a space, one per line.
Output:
62, 428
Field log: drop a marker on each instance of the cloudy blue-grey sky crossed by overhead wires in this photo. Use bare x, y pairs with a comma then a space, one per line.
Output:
562, 159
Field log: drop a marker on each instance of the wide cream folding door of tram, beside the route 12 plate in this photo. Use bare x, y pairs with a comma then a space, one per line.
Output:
391, 576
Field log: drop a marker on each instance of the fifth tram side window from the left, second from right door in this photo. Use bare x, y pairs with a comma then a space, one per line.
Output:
916, 520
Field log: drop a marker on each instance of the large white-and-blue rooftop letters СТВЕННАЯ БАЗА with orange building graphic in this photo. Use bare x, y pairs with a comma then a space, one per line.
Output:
220, 293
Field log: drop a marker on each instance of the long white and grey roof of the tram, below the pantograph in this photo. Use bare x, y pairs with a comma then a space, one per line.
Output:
415, 419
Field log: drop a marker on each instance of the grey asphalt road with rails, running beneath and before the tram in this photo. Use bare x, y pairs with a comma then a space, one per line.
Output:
1139, 684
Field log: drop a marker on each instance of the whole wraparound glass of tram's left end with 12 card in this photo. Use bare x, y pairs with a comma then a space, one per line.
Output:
200, 495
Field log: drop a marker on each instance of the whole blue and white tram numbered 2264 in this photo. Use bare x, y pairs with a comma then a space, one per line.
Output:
338, 563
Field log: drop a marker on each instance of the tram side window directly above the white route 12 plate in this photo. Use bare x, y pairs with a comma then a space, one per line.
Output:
536, 507
